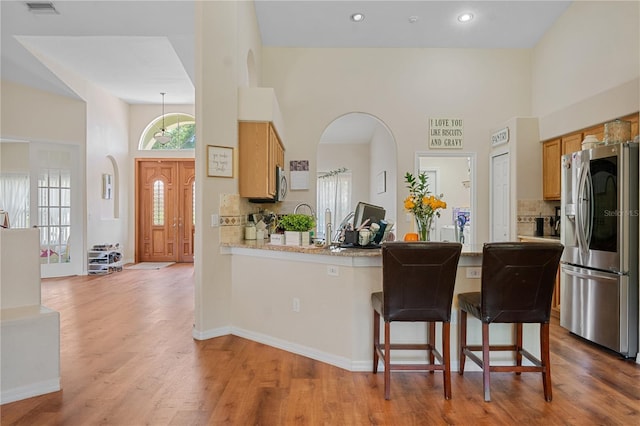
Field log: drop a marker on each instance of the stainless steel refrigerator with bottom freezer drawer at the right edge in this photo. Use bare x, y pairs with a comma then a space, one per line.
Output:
599, 267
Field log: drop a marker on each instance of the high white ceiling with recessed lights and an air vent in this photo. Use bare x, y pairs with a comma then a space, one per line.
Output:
137, 49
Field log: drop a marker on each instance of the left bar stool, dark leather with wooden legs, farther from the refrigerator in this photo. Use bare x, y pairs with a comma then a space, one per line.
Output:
418, 281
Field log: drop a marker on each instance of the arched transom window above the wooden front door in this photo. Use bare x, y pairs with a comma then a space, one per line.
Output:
180, 127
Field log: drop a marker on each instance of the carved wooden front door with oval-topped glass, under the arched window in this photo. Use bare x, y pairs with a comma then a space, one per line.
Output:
164, 210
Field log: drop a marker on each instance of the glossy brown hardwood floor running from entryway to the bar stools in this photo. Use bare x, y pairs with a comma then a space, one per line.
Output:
128, 358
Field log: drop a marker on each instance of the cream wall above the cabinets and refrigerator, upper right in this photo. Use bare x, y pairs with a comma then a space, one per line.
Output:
585, 70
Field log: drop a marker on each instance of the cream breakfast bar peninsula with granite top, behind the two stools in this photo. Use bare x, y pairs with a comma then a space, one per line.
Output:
315, 302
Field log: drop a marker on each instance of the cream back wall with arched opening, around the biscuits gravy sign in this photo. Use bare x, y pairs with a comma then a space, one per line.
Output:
403, 88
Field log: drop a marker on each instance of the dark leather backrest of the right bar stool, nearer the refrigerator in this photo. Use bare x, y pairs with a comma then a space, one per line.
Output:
518, 281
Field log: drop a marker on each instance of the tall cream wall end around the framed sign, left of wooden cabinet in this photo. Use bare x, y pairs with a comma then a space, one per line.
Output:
225, 34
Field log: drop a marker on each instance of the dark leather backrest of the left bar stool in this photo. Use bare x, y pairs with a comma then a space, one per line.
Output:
418, 280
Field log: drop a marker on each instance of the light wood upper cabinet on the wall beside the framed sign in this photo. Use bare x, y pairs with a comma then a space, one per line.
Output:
260, 152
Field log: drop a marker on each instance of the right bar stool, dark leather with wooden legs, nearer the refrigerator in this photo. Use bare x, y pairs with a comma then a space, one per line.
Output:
517, 287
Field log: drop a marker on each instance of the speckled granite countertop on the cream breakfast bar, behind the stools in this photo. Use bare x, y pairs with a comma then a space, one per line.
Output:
473, 250
